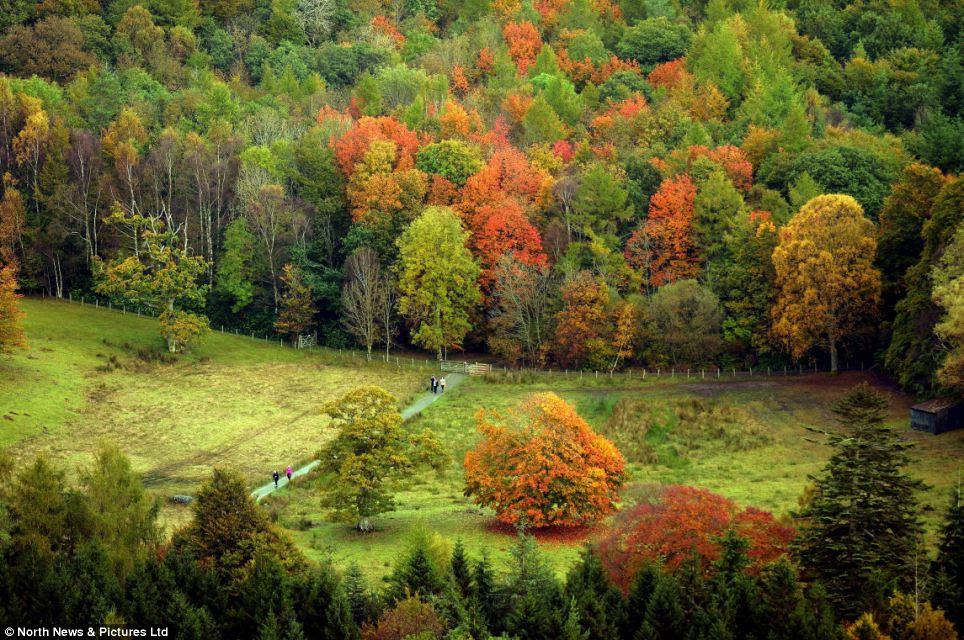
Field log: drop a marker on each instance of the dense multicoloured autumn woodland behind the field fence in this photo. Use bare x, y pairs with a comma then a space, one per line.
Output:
578, 184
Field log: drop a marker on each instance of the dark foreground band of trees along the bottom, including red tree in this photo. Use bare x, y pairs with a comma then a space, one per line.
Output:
682, 563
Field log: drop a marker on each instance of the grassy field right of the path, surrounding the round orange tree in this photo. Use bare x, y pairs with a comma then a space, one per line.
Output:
743, 439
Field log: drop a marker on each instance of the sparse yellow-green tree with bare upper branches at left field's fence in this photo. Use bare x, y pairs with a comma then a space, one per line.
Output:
160, 275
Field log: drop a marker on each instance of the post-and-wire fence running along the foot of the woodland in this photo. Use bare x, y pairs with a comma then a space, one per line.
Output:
495, 372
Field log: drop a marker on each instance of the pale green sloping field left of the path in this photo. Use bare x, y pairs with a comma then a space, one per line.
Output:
92, 375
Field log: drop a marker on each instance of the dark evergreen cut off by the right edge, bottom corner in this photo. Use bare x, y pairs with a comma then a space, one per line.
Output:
948, 592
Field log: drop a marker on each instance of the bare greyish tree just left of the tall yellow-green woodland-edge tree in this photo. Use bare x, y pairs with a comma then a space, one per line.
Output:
368, 300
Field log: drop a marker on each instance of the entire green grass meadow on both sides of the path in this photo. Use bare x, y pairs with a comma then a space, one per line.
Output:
92, 375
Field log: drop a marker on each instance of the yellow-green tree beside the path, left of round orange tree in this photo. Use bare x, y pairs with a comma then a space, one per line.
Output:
370, 451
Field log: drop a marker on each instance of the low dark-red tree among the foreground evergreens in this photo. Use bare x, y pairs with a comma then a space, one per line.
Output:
678, 522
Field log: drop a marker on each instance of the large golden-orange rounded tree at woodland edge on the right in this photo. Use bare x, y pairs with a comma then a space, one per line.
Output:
827, 286
